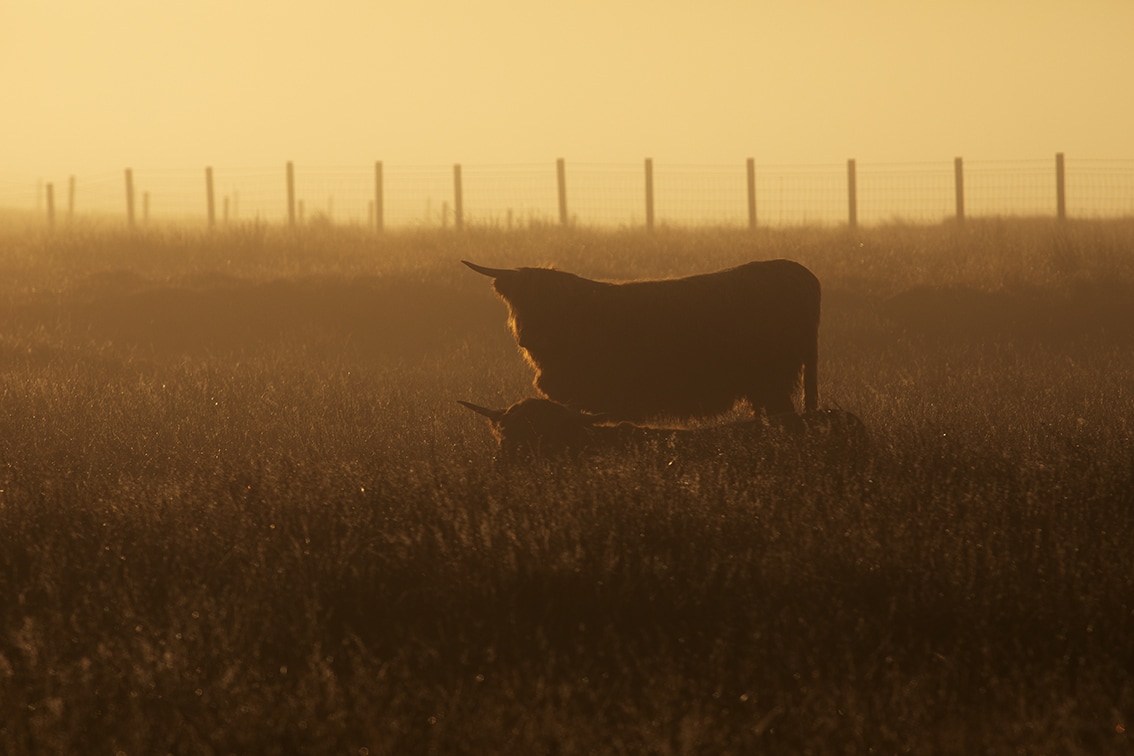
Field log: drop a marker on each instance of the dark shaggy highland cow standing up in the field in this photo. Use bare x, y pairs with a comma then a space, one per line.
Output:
681, 349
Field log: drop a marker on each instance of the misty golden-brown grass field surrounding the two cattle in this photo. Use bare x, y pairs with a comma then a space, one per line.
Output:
241, 511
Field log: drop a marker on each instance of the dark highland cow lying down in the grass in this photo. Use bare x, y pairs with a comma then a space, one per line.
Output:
544, 429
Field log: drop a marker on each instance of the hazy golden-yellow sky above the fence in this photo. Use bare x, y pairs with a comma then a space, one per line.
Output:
98, 87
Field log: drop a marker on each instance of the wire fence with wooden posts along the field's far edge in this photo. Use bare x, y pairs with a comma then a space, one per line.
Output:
587, 194
